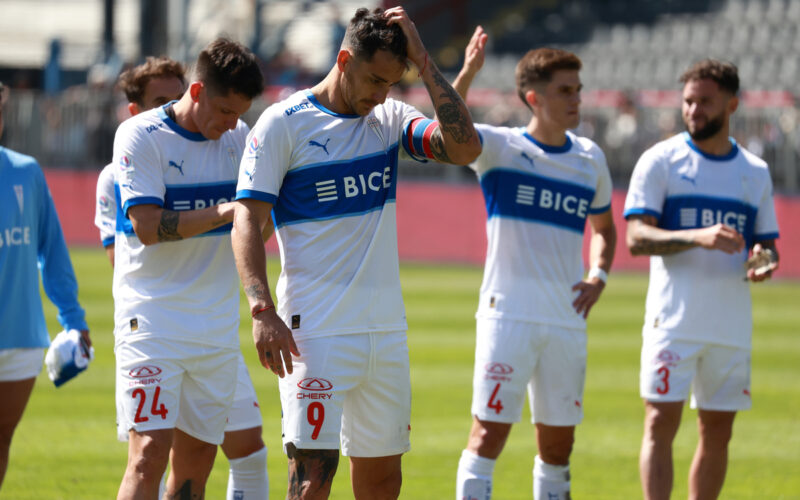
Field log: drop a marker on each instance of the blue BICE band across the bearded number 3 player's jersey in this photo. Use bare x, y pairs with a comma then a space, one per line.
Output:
691, 212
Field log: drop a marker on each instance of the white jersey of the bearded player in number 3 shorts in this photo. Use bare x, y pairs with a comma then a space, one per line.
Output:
700, 294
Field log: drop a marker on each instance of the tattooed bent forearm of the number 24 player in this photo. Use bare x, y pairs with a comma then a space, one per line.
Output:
153, 224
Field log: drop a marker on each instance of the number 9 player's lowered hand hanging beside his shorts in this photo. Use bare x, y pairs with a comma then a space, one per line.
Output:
274, 342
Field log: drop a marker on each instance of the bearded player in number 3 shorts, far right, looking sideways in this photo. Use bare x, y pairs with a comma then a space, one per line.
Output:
697, 204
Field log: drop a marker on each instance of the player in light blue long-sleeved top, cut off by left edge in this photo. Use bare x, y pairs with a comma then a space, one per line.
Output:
30, 240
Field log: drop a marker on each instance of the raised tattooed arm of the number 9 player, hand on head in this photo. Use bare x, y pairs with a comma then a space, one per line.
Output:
455, 140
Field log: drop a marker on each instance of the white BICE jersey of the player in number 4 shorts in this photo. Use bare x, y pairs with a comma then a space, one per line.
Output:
537, 200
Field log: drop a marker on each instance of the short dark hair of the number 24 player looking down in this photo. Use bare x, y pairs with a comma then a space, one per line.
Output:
226, 66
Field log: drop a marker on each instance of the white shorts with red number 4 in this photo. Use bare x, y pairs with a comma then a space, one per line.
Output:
510, 356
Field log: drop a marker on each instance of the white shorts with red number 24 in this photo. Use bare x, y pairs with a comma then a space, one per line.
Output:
167, 384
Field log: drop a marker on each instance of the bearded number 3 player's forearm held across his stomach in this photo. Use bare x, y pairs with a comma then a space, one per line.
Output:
645, 238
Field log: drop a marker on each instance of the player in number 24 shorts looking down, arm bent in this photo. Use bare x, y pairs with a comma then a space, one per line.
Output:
175, 289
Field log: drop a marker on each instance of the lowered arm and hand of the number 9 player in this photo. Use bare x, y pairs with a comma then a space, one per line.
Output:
273, 339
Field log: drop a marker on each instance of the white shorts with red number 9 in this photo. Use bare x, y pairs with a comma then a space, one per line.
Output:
351, 389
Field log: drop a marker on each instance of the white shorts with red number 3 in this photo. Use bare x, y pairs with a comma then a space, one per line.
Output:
719, 376
